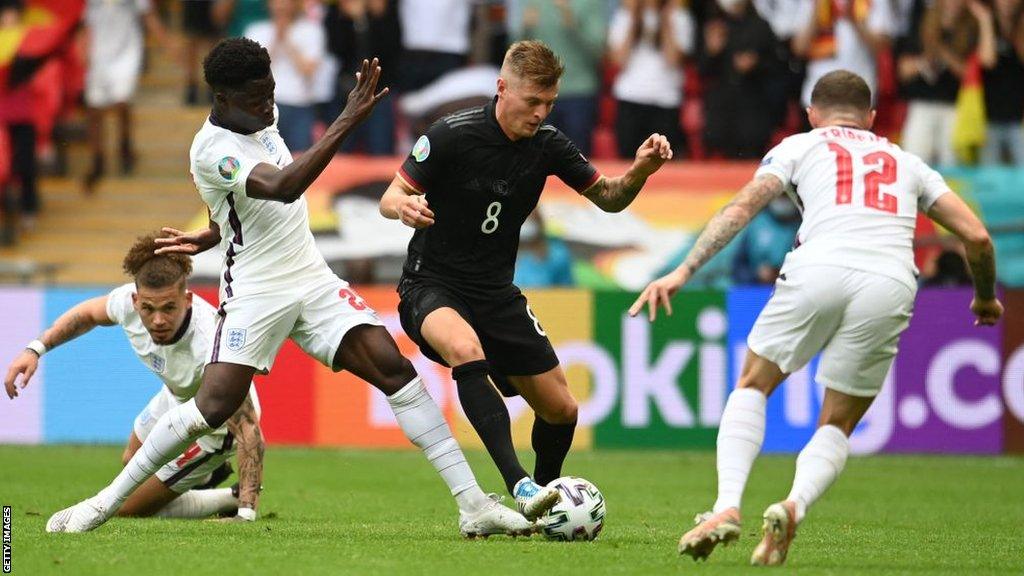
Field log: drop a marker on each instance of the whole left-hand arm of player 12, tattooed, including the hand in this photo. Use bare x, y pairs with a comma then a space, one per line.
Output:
719, 232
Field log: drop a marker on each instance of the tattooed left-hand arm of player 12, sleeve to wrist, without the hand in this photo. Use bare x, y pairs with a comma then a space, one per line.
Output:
732, 219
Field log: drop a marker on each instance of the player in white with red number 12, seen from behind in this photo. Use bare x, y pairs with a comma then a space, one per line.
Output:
846, 291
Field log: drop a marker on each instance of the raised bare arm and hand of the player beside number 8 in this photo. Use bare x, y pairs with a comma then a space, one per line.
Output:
287, 185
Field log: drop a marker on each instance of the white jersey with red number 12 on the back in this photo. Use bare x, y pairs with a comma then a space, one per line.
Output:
860, 195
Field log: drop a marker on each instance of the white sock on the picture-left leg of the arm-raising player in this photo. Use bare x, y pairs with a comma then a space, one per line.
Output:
176, 431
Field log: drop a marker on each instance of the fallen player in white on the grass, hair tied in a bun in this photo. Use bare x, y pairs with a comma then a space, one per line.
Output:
172, 333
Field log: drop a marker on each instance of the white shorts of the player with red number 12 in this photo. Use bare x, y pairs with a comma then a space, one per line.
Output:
852, 317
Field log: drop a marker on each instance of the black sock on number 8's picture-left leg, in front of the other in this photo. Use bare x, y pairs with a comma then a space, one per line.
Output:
490, 418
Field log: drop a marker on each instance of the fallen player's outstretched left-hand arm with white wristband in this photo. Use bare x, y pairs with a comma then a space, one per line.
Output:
72, 324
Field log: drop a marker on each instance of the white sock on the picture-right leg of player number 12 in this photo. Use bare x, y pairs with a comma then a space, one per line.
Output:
819, 466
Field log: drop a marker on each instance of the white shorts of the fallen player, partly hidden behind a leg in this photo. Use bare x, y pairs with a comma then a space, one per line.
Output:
194, 467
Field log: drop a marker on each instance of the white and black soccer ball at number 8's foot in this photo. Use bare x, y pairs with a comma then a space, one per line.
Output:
580, 516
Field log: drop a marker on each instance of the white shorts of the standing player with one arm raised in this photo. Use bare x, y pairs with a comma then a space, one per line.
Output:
316, 314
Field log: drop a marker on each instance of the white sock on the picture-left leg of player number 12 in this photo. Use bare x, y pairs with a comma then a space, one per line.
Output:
740, 437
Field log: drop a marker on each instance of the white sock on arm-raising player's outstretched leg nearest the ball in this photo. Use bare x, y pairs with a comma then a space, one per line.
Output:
424, 426
